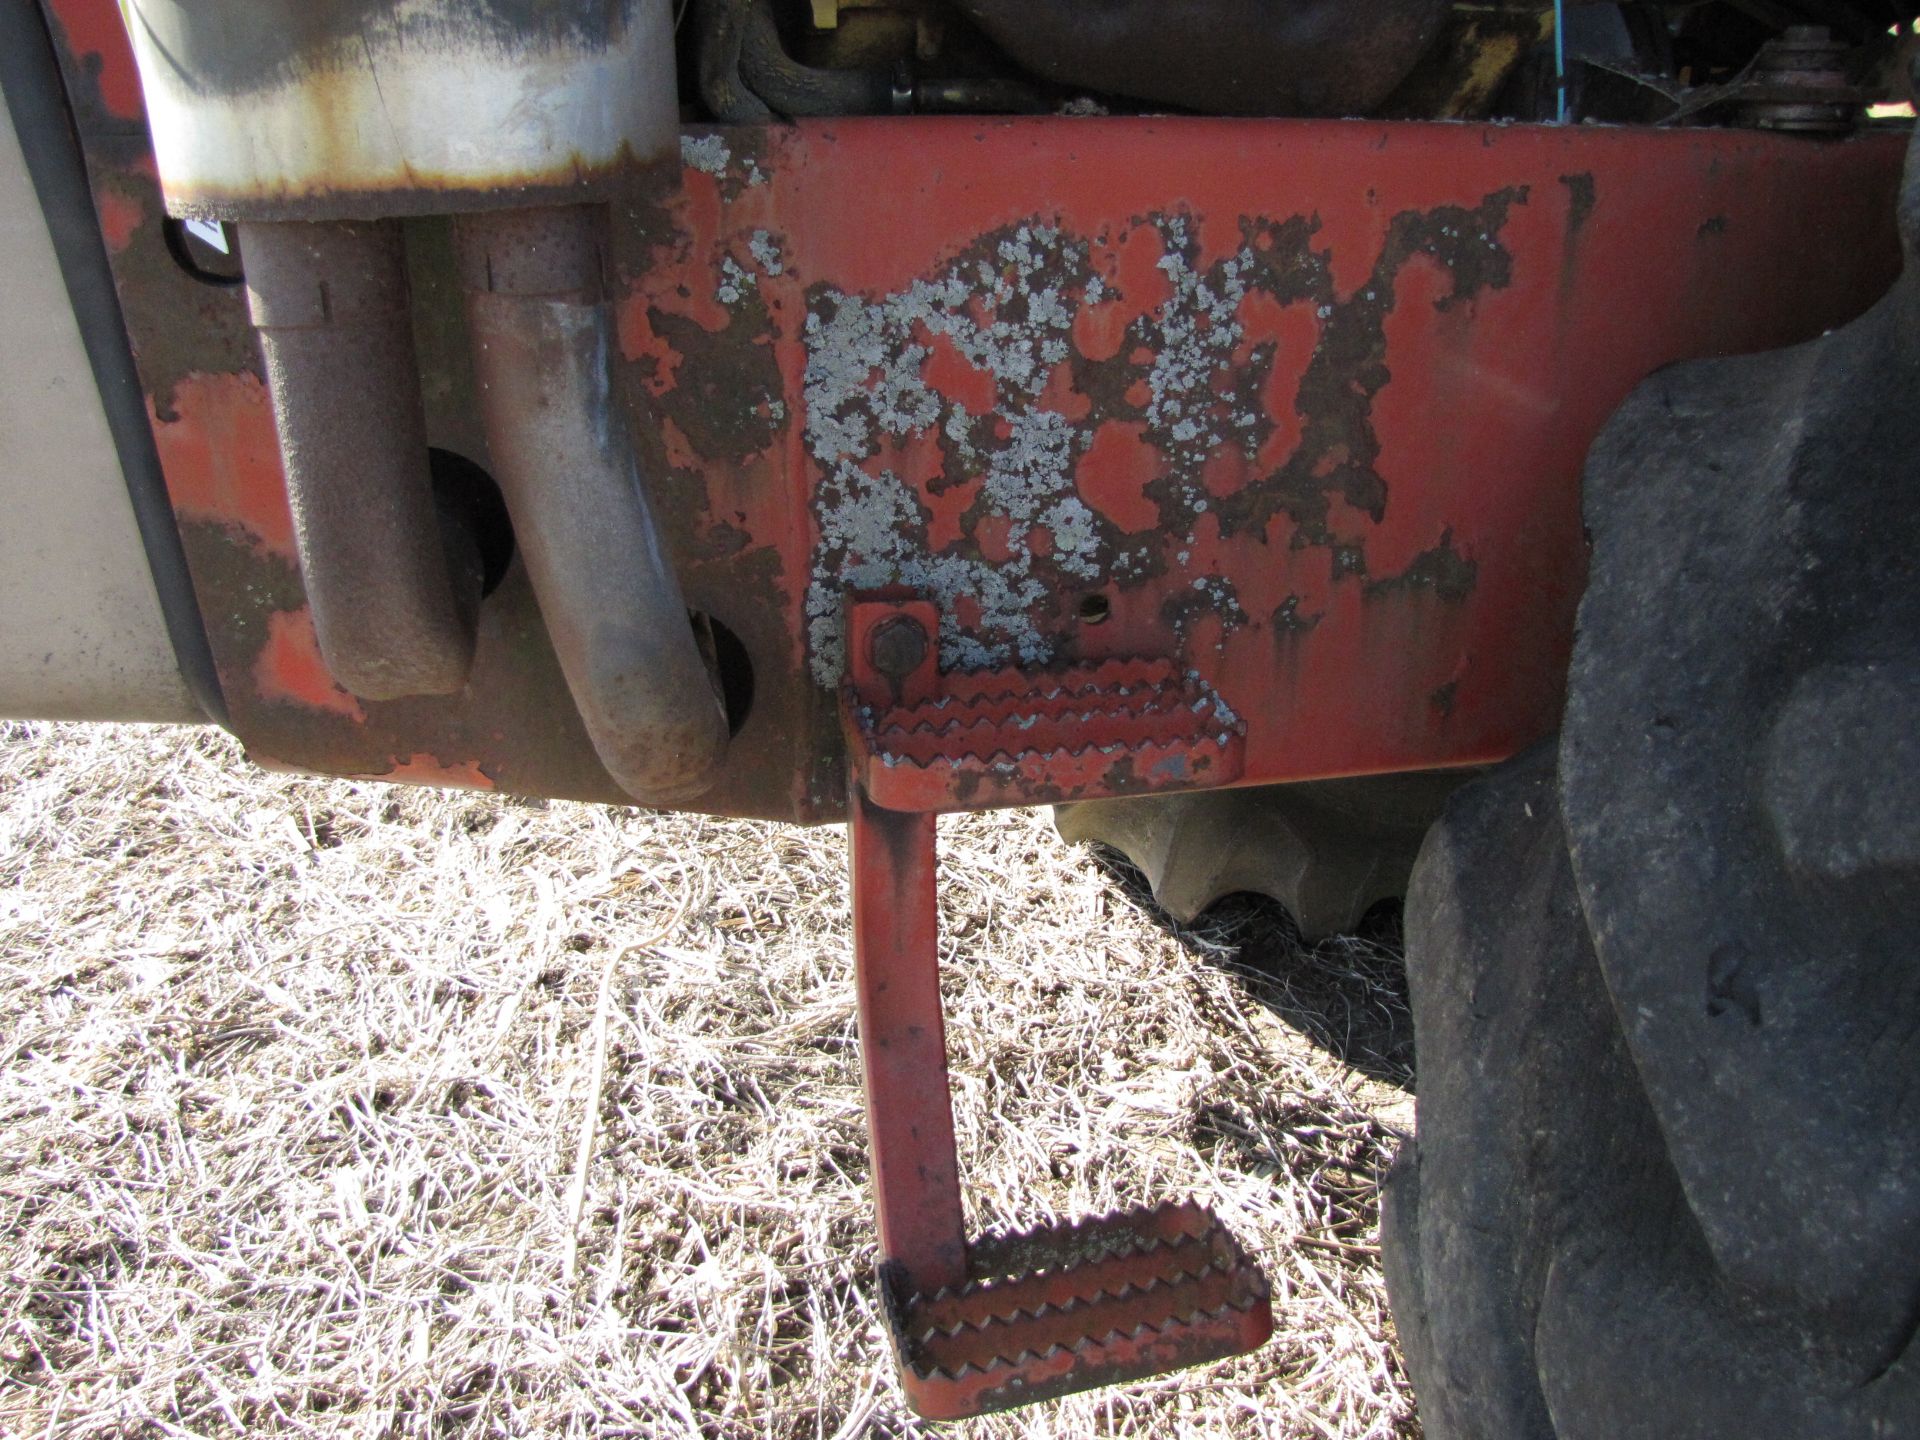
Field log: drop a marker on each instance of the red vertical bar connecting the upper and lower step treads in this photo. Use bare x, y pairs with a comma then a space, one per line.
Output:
903, 1044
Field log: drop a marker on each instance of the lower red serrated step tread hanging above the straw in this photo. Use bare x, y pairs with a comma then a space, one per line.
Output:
1076, 1307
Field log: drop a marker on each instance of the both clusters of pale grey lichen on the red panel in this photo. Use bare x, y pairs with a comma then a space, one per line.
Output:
1009, 308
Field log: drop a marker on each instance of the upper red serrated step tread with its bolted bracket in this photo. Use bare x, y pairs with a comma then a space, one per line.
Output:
921, 740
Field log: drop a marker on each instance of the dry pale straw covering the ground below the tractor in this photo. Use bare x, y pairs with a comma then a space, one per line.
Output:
297, 1078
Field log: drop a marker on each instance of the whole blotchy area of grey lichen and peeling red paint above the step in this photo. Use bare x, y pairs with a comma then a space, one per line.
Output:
959, 421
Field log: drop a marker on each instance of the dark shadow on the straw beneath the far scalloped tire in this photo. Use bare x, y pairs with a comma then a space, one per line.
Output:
1347, 996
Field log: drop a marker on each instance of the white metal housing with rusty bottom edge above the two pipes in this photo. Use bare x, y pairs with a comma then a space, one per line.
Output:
285, 110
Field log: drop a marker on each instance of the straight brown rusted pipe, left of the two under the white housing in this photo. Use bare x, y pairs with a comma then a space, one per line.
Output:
393, 604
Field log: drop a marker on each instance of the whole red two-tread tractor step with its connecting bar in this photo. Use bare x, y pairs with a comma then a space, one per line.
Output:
1020, 1318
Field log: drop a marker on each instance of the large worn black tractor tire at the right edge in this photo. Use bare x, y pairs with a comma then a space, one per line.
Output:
1666, 972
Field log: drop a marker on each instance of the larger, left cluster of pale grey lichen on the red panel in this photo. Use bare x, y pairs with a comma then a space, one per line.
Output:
1009, 314
